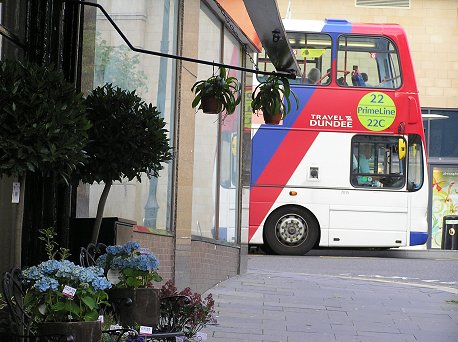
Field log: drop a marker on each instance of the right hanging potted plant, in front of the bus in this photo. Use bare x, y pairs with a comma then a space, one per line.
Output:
272, 97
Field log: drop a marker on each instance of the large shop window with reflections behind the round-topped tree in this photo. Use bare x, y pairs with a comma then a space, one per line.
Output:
148, 25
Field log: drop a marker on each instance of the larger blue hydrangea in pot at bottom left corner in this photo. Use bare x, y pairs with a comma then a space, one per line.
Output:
64, 298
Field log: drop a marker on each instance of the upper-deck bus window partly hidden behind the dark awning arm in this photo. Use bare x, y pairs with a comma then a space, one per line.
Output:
313, 54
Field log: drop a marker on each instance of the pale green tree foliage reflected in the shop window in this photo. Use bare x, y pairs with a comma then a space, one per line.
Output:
118, 65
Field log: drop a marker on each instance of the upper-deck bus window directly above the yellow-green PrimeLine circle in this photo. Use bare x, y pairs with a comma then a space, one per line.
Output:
367, 62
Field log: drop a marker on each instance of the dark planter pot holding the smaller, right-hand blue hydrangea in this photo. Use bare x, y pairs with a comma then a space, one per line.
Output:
139, 306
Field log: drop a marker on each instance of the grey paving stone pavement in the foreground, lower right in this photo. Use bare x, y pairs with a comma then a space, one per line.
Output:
288, 307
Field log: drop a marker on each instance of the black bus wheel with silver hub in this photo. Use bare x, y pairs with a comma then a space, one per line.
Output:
291, 231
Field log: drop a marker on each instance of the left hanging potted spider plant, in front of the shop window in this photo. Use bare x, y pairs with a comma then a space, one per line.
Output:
217, 93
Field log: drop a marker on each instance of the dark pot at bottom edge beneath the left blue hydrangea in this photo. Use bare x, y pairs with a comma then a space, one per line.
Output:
80, 331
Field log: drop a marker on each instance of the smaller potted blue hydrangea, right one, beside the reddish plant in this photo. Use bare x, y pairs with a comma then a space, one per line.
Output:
132, 270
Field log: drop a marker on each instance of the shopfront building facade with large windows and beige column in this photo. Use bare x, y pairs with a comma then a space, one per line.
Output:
190, 215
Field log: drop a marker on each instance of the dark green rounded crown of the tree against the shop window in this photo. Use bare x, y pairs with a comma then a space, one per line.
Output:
127, 137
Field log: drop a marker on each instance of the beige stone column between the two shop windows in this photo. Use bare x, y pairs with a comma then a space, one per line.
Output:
185, 125
